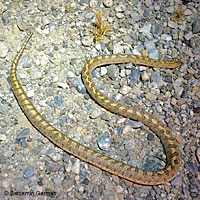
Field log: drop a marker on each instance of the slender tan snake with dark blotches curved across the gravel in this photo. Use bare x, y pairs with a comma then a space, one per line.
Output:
106, 163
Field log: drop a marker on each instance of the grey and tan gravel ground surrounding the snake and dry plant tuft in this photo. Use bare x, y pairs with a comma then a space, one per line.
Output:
50, 72
